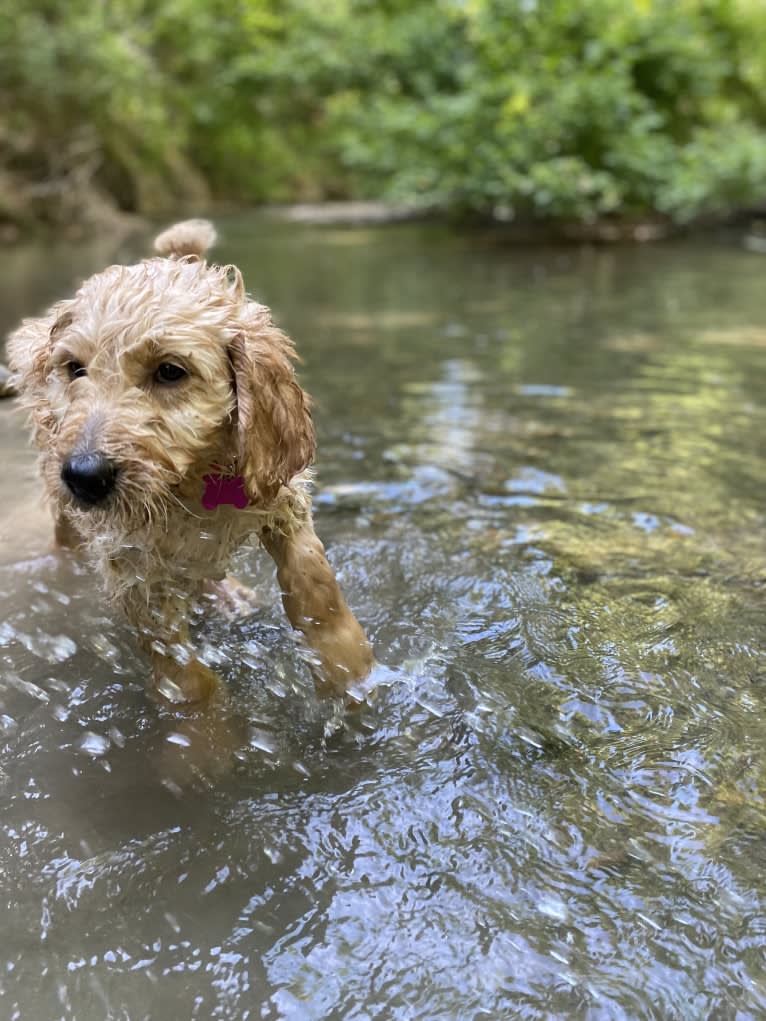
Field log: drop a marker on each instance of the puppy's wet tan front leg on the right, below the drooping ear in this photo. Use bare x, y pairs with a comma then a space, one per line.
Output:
315, 606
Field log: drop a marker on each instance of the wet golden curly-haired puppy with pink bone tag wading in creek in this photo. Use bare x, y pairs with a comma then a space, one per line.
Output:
173, 429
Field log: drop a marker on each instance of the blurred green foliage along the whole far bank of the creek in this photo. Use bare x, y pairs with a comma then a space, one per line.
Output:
558, 111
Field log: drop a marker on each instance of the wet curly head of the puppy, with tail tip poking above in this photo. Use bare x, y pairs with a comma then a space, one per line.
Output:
157, 374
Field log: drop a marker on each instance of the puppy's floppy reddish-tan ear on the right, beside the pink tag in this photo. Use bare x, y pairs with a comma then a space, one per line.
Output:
275, 432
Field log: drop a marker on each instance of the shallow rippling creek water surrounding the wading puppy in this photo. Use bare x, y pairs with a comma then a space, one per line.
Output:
542, 483
